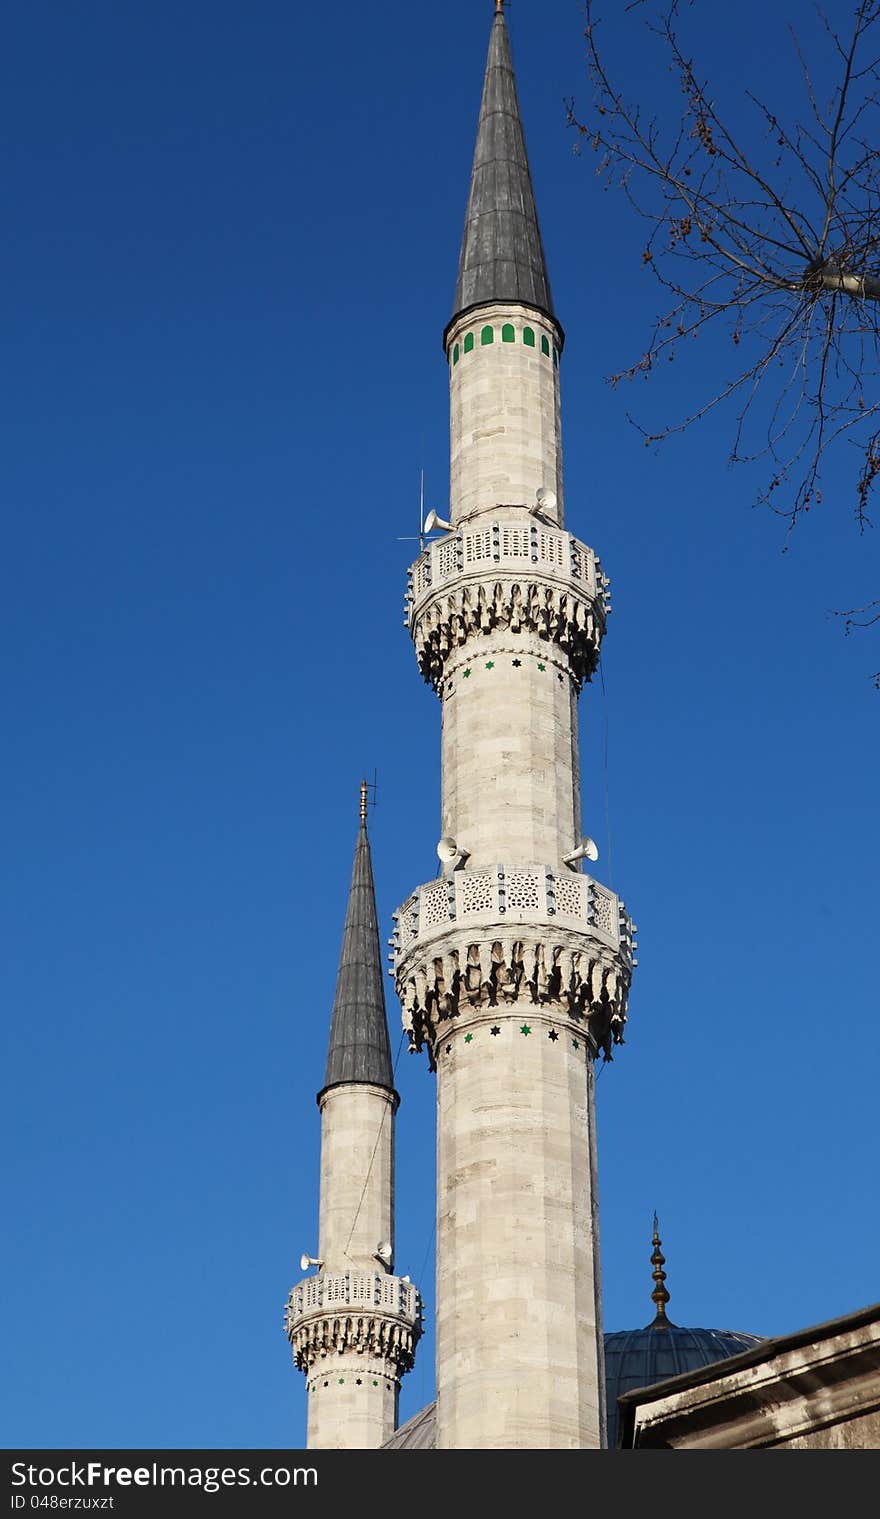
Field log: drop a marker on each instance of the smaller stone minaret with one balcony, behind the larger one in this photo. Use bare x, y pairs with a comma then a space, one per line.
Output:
355, 1327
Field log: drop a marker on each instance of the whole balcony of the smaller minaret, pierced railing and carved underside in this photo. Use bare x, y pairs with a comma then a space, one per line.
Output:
367, 1313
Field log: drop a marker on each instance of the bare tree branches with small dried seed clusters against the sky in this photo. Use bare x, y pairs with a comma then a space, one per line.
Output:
776, 247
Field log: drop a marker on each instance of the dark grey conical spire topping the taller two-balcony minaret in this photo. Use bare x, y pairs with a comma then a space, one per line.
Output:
502, 256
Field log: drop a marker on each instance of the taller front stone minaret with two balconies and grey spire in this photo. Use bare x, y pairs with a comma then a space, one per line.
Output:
513, 967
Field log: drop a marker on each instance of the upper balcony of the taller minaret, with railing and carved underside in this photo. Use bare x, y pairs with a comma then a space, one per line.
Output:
511, 575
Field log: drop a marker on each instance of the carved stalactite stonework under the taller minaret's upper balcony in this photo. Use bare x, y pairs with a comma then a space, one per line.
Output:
565, 617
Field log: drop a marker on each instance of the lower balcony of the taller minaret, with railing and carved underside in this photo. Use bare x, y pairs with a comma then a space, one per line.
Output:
511, 935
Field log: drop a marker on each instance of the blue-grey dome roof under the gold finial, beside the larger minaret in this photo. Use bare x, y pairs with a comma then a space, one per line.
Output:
642, 1357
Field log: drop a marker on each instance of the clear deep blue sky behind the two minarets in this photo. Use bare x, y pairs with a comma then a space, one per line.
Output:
229, 261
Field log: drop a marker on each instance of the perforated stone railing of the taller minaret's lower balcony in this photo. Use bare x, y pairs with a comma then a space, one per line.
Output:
518, 895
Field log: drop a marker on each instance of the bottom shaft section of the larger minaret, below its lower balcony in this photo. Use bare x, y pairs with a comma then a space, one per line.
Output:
518, 1292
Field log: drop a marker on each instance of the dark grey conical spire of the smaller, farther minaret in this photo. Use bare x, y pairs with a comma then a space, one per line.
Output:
359, 1046
